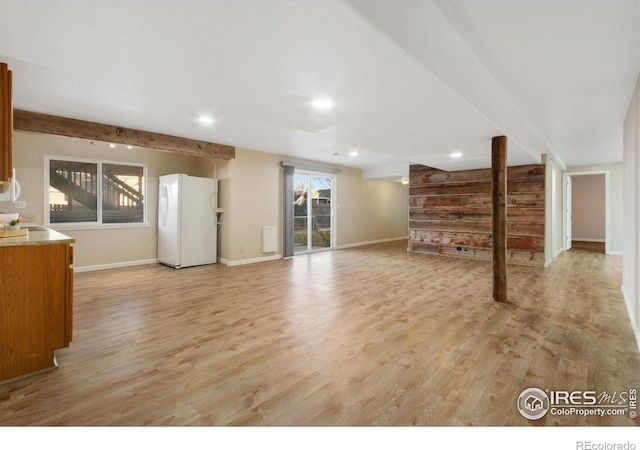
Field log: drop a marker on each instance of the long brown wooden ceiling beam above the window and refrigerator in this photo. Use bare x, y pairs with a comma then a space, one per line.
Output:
62, 126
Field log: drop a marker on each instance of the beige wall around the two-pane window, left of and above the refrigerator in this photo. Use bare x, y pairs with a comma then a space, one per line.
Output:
96, 247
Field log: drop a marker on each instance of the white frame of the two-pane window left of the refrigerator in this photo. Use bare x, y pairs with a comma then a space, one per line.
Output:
98, 224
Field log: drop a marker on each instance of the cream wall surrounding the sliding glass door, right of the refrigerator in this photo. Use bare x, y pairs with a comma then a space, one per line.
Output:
251, 195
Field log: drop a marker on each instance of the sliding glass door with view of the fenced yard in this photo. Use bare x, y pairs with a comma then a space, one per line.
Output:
312, 211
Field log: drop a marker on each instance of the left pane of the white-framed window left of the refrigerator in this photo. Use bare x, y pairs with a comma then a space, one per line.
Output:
73, 191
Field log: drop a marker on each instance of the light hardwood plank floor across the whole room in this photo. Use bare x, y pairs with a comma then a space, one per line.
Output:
365, 336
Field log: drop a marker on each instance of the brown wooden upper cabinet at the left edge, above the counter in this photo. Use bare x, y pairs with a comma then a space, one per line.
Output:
6, 126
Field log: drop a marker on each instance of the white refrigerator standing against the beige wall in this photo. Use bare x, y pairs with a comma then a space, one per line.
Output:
187, 220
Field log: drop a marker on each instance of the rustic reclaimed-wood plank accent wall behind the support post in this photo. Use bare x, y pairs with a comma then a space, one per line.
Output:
450, 213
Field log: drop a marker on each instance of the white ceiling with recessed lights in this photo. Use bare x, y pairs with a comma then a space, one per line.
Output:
411, 81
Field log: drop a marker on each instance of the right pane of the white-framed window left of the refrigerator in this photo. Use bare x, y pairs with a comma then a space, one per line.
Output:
122, 193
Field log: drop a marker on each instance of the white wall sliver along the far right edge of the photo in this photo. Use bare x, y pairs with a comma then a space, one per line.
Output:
630, 266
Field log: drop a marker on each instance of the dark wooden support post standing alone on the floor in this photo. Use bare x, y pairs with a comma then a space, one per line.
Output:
499, 216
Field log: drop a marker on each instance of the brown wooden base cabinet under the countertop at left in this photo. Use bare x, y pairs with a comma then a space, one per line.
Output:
36, 306
